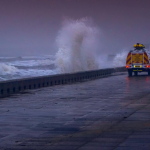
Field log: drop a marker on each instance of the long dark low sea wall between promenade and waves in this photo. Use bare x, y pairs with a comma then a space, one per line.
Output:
10, 87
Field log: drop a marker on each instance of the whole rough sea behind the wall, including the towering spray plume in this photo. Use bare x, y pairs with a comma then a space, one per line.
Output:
77, 43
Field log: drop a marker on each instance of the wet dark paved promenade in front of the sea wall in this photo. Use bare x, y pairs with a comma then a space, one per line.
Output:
110, 113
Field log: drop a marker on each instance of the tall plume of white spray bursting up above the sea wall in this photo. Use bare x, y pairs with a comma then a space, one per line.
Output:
77, 45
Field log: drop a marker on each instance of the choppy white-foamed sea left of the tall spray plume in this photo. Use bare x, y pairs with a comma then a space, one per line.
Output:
21, 67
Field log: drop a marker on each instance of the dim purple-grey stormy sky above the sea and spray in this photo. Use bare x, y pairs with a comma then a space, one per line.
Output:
30, 27
